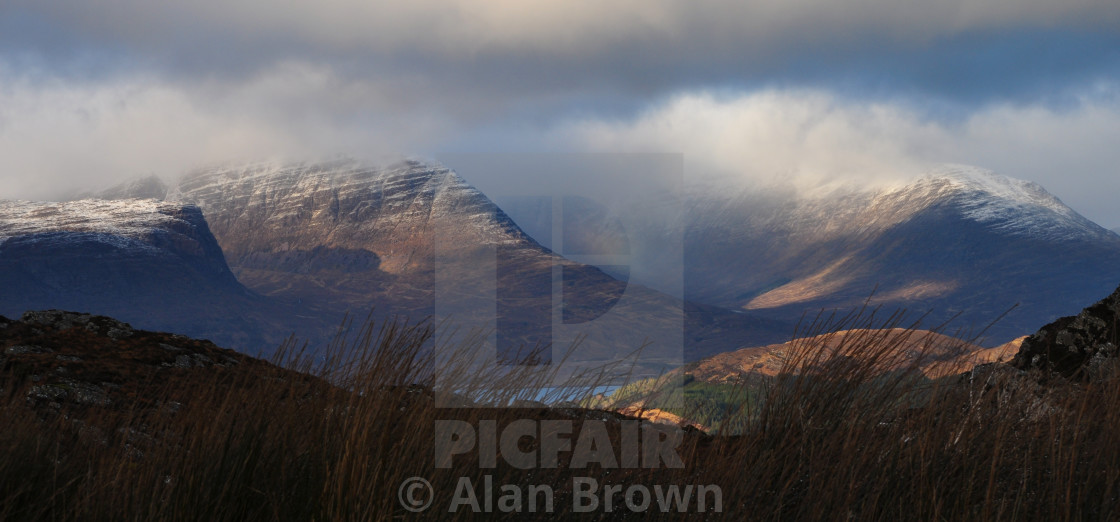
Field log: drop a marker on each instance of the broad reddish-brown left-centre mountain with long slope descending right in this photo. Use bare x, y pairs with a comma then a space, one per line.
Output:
332, 238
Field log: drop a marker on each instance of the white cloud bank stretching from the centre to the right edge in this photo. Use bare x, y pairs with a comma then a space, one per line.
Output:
819, 142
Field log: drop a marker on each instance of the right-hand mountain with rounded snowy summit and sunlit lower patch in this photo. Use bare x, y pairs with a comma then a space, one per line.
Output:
959, 240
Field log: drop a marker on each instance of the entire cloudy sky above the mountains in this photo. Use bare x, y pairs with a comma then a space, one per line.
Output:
818, 91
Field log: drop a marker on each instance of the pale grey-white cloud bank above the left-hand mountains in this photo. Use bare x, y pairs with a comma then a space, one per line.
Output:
58, 138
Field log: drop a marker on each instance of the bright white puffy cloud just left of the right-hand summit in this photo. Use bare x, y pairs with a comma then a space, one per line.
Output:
805, 137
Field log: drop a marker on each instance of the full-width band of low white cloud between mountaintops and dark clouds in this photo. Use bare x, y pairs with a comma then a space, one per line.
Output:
58, 136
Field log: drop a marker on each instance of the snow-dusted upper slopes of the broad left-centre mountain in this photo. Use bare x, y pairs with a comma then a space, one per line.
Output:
346, 198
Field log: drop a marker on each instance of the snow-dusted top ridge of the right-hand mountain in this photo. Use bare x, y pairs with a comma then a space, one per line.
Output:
1004, 204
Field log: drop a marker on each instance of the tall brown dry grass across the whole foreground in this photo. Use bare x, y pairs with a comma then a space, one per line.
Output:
854, 434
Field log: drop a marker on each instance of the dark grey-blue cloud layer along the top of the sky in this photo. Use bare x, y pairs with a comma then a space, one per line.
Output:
506, 57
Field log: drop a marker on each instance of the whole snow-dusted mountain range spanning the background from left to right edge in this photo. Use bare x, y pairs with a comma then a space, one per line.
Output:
248, 256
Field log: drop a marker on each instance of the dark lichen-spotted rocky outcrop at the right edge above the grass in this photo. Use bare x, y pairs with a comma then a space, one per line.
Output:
1076, 347
